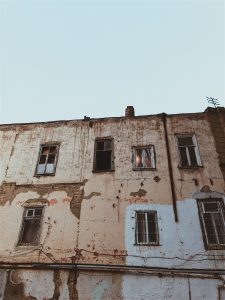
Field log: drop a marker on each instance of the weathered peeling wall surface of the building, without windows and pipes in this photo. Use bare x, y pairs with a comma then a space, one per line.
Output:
89, 216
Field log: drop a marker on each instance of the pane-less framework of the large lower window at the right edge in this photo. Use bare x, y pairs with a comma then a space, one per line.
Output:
220, 211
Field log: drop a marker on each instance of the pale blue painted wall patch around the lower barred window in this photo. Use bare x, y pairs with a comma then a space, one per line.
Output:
180, 246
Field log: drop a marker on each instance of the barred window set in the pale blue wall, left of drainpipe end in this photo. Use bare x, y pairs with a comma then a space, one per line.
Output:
146, 228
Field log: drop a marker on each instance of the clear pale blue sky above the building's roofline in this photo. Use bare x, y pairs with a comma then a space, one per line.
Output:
66, 59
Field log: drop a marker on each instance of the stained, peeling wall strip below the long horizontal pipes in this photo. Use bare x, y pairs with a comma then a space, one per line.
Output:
58, 284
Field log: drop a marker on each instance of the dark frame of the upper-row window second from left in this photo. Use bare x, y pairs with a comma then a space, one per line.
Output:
103, 139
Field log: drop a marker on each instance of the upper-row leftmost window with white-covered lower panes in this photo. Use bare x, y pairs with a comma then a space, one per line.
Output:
47, 160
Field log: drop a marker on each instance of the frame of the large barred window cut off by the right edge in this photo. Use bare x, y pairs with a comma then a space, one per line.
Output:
221, 210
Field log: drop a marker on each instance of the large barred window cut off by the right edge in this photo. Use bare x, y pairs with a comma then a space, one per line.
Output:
213, 224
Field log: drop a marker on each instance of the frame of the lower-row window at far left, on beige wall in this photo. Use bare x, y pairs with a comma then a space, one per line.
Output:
23, 224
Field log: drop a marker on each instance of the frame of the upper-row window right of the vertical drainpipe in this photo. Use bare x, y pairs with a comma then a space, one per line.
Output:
196, 151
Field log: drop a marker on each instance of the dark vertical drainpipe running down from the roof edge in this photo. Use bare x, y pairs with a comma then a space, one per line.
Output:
164, 120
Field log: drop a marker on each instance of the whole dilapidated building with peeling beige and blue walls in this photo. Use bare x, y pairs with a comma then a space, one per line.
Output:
115, 208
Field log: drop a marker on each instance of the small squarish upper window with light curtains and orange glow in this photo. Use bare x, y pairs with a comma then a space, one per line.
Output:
143, 157
